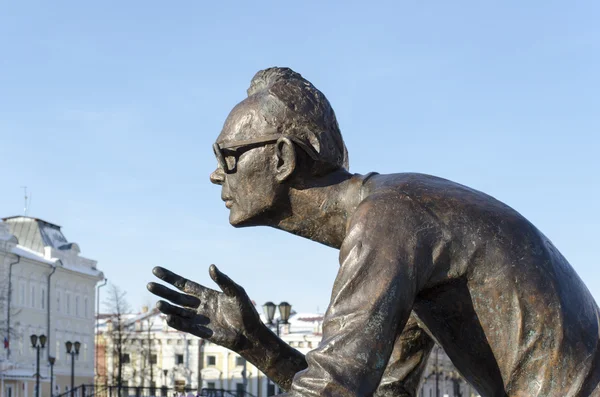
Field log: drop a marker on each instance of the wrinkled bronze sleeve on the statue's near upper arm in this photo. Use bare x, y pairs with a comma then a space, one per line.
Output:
371, 301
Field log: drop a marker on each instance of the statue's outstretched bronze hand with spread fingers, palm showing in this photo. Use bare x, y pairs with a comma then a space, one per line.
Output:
226, 318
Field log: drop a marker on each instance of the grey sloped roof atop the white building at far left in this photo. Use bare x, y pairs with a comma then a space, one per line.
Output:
35, 233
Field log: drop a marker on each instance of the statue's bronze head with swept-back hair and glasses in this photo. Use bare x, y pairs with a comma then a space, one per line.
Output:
284, 134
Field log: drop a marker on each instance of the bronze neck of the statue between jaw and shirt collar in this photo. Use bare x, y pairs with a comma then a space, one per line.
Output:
321, 210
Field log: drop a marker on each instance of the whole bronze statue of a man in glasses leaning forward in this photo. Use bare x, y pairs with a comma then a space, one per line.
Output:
422, 259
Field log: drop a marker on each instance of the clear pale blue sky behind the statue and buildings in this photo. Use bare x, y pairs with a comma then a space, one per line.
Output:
108, 111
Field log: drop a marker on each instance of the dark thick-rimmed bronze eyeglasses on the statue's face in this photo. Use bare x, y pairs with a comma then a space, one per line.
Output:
227, 154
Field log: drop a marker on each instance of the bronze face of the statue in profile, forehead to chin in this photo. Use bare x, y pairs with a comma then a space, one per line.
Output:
248, 184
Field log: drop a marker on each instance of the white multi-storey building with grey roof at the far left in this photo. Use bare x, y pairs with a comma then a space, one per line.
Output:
52, 293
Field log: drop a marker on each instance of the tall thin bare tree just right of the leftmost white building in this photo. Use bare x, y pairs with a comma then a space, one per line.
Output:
120, 328
